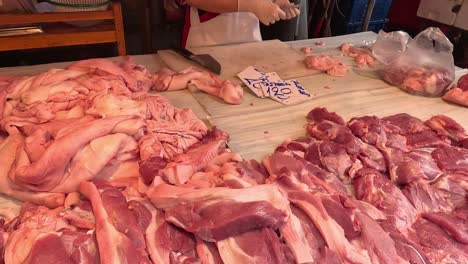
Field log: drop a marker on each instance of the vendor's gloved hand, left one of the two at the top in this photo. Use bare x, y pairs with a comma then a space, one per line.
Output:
265, 10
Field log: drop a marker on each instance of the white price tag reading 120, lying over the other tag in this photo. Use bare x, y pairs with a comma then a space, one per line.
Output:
286, 92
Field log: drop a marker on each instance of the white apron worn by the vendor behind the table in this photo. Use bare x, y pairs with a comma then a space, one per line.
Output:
226, 28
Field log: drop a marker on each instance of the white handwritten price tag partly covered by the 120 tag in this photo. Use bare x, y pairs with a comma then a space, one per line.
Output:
253, 78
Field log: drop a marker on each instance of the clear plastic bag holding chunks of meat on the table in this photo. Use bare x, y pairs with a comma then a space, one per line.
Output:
424, 67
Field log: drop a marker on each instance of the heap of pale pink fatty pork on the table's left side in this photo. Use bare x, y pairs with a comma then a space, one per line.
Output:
93, 120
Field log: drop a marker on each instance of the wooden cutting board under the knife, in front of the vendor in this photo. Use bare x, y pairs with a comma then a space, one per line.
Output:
268, 56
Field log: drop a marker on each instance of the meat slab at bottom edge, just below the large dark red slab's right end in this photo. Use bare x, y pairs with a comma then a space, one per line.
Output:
256, 246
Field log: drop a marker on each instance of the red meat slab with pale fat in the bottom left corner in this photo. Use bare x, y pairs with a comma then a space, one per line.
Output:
44, 237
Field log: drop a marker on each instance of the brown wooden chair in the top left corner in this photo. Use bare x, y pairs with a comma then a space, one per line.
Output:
58, 34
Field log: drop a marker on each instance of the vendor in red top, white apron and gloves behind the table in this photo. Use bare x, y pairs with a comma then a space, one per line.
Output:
218, 22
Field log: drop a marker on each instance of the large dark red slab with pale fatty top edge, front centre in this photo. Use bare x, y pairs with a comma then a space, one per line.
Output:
216, 213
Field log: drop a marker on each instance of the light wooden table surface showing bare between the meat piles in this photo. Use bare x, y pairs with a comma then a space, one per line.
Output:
257, 126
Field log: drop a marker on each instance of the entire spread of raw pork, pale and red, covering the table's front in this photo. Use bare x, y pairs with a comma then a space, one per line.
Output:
109, 173
